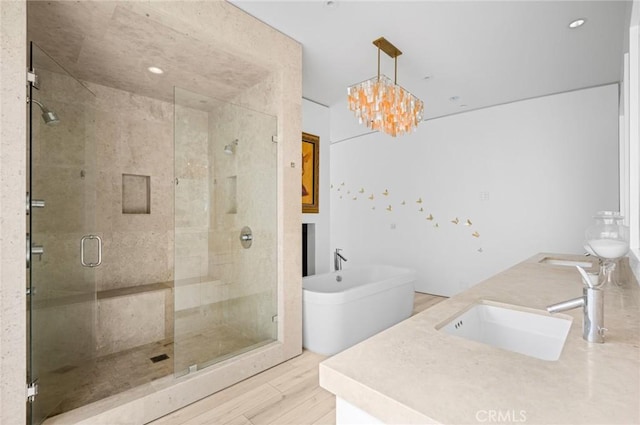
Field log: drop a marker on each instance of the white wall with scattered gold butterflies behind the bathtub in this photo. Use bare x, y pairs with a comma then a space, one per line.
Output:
544, 166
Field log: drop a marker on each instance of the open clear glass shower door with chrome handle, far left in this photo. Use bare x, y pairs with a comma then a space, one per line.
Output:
62, 251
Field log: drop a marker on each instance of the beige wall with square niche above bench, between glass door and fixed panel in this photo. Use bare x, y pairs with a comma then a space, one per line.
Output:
134, 136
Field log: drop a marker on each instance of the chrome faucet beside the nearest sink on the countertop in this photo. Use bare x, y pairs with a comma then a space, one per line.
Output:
592, 302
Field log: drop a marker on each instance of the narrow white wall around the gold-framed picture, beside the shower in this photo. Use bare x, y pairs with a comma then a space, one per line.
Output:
315, 120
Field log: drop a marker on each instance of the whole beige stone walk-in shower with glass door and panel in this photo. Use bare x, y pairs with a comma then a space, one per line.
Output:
153, 233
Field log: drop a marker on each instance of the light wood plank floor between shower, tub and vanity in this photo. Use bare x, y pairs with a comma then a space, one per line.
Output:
285, 394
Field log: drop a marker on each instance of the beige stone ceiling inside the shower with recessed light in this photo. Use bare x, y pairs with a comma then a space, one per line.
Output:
114, 42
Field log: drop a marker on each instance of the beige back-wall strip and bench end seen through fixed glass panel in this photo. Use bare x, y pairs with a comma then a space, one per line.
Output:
197, 292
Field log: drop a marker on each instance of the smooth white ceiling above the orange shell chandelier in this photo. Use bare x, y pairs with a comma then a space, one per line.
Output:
480, 53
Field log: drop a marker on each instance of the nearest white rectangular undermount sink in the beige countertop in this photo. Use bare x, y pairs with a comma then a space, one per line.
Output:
519, 329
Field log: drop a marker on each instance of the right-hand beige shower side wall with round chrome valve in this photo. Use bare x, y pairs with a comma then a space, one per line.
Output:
243, 196
